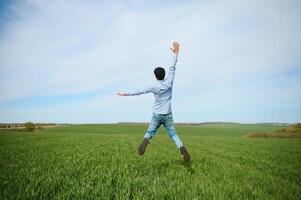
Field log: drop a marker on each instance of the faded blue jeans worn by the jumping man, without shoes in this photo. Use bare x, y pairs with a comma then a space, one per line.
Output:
167, 121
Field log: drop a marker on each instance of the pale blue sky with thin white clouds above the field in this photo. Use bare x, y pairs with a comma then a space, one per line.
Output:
64, 61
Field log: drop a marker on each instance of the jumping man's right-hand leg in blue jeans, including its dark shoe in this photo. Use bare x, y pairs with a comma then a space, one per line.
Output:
169, 125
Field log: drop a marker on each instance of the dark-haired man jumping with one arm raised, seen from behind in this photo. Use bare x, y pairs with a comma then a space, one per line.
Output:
162, 113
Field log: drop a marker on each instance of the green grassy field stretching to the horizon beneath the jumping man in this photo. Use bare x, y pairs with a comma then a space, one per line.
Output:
101, 162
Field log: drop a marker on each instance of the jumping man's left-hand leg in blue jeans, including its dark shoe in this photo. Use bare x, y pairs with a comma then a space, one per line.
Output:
152, 129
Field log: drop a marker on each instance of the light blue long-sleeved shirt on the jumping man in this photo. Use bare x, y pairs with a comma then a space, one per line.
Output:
162, 91
